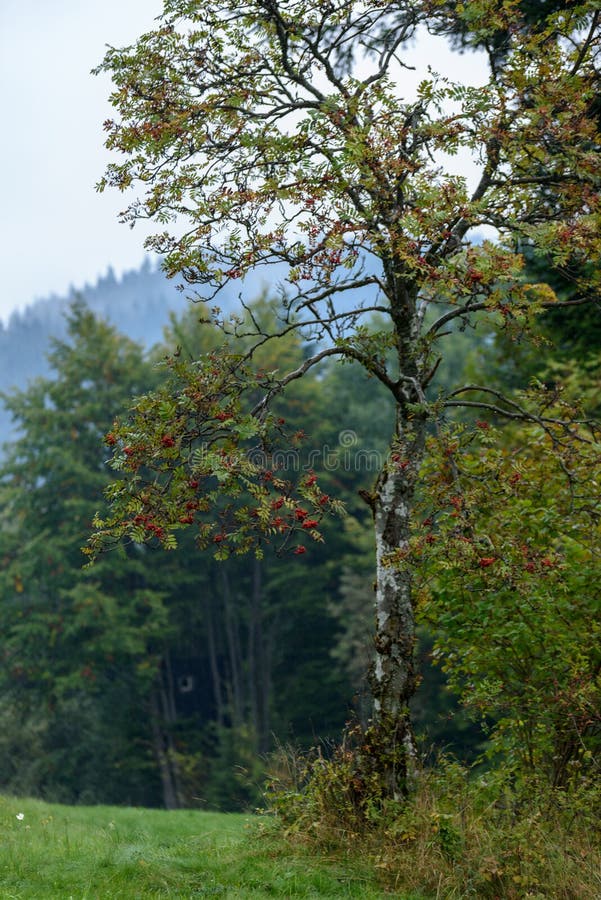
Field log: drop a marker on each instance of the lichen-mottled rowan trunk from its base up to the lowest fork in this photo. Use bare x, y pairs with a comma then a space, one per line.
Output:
393, 678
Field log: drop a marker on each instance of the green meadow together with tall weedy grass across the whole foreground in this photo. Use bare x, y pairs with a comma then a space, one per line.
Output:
52, 852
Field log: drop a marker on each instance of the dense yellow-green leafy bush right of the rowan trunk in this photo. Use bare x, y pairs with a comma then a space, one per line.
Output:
510, 583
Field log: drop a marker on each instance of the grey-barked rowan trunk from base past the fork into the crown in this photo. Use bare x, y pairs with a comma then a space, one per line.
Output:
393, 678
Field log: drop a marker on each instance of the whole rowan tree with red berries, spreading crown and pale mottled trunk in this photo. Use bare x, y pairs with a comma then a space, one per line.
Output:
278, 135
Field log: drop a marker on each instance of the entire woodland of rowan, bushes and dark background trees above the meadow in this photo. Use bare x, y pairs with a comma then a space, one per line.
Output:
340, 538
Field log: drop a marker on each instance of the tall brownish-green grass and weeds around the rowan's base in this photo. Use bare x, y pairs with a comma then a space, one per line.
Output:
457, 836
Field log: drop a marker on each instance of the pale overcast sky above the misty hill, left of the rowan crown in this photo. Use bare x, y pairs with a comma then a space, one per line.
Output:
55, 230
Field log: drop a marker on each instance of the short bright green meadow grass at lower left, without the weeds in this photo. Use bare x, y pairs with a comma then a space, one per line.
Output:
88, 853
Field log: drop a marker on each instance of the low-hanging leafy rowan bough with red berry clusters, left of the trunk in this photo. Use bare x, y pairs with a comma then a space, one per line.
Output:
196, 444
